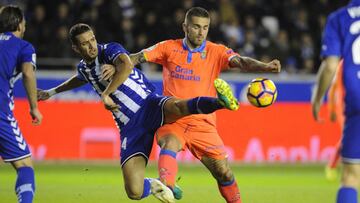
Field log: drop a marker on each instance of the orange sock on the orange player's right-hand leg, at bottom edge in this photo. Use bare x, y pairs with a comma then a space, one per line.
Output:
230, 191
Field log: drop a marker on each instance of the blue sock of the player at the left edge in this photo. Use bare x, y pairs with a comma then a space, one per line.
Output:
25, 184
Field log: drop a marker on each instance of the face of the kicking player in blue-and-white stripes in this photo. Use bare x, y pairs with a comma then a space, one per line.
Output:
87, 46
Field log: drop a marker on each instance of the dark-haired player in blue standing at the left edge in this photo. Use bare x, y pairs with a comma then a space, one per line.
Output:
16, 56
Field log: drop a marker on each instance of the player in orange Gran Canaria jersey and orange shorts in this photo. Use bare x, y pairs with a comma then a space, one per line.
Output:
190, 66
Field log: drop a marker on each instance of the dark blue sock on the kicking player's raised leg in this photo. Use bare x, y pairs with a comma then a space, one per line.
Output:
203, 105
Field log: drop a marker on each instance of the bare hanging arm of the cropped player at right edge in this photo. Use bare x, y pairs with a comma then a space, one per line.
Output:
325, 76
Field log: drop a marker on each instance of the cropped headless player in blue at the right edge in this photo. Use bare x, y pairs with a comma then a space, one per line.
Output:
341, 39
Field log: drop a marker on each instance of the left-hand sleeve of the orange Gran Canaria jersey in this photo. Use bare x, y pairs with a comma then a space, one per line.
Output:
156, 53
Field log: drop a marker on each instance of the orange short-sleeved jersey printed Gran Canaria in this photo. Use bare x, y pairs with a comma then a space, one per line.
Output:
188, 74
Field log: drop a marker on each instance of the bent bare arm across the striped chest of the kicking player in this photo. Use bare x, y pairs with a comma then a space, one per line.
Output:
123, 68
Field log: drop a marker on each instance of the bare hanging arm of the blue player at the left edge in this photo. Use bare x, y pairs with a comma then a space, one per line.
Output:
29, 81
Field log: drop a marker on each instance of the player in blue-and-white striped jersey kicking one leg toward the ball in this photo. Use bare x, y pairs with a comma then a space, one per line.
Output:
137, 110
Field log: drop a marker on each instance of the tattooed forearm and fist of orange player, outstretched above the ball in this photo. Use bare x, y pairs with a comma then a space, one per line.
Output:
247, 64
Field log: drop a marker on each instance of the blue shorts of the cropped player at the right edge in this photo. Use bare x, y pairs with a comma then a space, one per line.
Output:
350, 151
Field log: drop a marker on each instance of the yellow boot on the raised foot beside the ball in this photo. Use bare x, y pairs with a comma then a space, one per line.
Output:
225, 95
